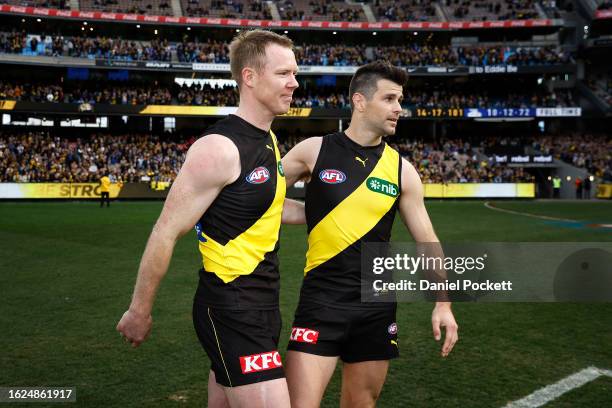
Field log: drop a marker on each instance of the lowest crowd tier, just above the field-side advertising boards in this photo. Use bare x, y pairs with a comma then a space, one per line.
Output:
40, 157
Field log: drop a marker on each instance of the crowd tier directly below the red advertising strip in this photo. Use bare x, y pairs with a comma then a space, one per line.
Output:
211, 51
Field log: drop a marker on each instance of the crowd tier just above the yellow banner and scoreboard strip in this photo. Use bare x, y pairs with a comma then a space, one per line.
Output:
304, 97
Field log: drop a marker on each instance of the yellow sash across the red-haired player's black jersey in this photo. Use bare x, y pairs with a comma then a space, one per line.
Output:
241, 255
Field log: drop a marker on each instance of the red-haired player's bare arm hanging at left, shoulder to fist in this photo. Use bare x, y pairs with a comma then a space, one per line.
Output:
212, 162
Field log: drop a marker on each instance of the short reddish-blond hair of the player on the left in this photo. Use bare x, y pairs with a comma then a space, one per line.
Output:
248, 49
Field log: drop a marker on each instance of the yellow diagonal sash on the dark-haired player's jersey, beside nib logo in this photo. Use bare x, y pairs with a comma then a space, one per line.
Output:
355, 216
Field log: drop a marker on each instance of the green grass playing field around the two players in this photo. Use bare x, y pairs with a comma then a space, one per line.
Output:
67, 272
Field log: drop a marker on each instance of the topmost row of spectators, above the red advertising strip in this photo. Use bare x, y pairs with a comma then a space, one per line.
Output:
300, 10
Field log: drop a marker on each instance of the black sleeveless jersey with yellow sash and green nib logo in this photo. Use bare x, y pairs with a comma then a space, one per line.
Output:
351, 198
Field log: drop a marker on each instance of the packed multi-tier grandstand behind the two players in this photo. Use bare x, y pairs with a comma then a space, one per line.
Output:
507, 98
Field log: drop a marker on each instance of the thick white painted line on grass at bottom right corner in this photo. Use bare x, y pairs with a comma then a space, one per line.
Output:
553, 391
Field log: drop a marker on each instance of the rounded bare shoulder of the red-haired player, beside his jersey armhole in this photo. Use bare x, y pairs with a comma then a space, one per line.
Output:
213, 157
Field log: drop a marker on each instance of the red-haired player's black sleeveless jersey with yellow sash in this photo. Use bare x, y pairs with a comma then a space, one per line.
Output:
238, 234
